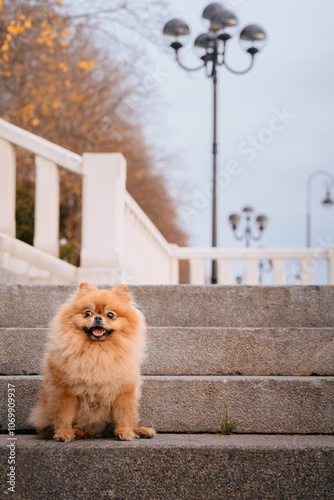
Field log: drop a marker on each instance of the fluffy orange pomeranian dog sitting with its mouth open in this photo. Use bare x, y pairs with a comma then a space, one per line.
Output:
92, 368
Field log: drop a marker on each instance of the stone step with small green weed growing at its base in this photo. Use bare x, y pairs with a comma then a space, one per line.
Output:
282, 405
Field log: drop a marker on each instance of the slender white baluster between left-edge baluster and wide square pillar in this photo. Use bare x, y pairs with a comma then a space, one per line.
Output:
46, 234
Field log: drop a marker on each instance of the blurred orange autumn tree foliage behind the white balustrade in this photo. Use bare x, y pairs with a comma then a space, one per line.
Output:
57, 82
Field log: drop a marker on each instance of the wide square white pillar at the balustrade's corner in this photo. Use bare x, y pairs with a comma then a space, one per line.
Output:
103, 211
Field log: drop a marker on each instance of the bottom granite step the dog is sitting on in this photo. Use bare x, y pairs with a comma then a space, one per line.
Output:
187, 467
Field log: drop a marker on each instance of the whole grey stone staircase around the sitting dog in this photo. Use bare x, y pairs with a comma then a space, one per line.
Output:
264, 353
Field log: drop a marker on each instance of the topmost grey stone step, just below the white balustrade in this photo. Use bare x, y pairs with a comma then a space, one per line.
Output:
183, 305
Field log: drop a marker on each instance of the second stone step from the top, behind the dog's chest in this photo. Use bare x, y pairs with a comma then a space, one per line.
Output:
199, 351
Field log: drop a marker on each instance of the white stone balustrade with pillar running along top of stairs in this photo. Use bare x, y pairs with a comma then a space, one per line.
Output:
119, 242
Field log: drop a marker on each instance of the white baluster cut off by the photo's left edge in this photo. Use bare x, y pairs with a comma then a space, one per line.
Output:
7, 187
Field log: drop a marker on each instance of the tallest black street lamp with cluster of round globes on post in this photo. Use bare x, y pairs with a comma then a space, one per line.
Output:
211, 48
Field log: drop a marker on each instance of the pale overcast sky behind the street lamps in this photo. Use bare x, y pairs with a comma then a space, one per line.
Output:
293, 77
